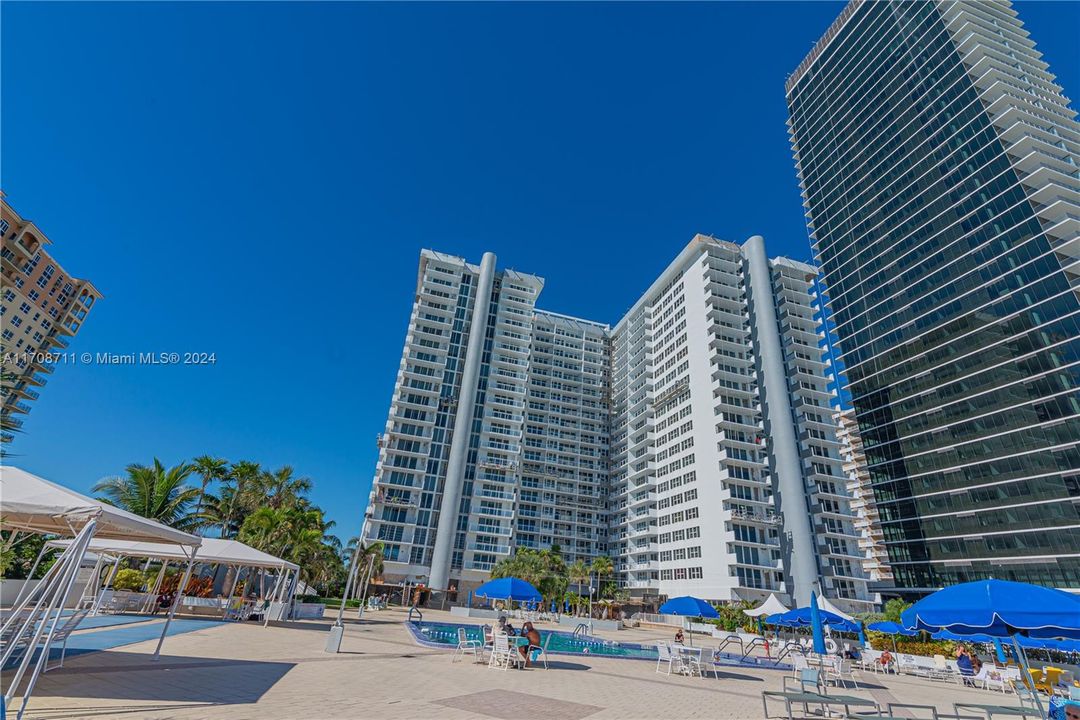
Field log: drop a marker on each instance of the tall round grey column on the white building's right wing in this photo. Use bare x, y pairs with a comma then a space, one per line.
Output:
802, 575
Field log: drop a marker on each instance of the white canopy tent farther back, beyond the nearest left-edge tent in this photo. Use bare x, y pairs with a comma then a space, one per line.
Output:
213, 551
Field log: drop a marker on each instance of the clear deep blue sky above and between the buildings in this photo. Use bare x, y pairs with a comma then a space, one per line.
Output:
256, 181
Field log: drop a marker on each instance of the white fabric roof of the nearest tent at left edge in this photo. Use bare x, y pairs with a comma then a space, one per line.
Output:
34, 505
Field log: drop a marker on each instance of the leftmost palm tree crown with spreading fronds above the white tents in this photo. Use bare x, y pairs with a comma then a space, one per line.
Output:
155, 493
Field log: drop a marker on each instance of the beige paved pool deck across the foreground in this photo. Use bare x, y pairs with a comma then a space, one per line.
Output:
241, 671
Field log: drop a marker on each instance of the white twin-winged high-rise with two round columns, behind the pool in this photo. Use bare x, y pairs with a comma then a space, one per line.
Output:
693, 443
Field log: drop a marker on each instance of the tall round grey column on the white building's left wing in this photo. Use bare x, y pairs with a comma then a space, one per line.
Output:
463, 426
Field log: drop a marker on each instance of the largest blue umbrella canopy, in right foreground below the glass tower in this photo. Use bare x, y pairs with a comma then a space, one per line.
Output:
998, 608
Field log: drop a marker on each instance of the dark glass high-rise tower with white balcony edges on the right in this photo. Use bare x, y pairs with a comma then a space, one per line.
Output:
938, 160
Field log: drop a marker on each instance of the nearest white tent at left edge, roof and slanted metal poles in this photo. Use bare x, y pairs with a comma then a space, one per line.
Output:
33, 505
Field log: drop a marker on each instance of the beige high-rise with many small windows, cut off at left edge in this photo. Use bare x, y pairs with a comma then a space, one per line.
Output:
43, 308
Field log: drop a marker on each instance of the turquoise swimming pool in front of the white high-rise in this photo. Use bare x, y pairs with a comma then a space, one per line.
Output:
445, 635
